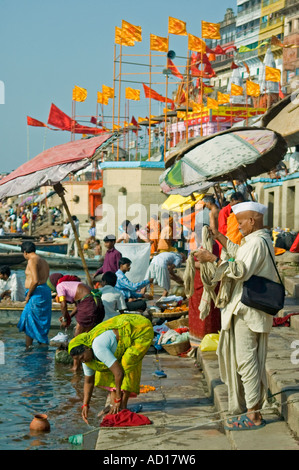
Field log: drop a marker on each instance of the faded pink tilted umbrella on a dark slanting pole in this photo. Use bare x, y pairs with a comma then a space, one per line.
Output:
50, 168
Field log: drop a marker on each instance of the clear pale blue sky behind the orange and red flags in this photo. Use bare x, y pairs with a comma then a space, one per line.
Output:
49, 47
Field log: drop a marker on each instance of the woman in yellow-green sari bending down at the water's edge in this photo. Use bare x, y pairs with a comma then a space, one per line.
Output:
112, 354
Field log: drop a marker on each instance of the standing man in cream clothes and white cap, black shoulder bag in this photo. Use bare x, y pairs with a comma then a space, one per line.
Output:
244, 334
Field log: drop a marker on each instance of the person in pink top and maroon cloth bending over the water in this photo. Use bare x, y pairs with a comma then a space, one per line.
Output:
89, 310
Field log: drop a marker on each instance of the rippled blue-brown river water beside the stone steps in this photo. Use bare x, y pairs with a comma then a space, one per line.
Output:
32, 382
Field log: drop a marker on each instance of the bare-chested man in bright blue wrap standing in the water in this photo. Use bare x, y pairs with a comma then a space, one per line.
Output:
35, 319
